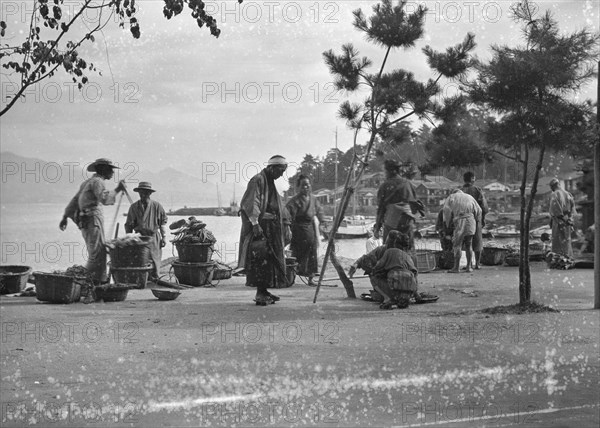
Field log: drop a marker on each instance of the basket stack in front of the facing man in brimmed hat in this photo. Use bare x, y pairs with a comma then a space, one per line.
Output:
130, 264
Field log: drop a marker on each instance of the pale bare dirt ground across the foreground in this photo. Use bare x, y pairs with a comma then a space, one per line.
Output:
213, 358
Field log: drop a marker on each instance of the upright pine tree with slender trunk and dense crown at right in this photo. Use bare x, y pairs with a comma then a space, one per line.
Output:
531, 88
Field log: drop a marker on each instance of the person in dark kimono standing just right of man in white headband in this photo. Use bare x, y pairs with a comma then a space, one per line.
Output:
303, 208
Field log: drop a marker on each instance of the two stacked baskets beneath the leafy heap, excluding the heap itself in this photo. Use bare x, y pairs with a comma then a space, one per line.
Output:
194, 266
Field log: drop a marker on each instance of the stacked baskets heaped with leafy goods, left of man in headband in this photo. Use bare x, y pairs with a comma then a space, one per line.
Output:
195, 245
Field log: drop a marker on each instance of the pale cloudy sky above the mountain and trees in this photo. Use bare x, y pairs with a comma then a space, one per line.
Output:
219, 108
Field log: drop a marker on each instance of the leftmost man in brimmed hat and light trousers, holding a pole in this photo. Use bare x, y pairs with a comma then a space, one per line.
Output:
85, 209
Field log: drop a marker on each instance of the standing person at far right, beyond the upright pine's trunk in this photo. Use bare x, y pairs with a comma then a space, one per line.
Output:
562, 209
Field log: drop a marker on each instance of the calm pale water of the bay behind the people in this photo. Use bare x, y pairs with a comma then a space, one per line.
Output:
29, 235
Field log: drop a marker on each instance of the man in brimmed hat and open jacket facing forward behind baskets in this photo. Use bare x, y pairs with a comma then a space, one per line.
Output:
148, 218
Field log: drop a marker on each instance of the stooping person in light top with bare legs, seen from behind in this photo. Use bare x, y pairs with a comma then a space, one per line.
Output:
463, 213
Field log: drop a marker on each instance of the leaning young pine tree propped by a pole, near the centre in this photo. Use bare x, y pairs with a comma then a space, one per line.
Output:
391, 96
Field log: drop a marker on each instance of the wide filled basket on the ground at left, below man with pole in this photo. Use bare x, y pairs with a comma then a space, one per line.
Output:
62, 286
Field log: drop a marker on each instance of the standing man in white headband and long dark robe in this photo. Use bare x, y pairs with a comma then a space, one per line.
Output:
265, 227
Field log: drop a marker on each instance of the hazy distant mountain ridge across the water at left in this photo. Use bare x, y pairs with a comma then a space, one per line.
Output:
31, 180
